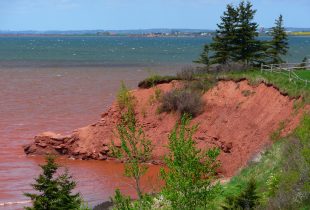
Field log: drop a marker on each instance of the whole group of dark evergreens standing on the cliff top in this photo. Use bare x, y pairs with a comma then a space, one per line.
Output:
236, 39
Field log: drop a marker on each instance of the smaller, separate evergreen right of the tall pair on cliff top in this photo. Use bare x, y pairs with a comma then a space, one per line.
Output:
279, 42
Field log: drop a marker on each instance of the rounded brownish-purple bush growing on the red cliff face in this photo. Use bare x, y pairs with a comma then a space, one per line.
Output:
182, 101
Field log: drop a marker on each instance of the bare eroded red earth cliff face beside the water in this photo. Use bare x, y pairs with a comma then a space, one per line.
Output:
237, 118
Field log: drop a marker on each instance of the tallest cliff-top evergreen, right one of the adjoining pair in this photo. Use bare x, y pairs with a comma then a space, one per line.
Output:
247, 48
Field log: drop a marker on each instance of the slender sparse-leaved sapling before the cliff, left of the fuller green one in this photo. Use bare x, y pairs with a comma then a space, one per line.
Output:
135, 148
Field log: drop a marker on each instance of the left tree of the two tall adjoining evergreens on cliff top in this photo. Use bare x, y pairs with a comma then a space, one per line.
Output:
223, 42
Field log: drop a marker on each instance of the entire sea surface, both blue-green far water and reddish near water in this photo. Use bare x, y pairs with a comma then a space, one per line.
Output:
62, 83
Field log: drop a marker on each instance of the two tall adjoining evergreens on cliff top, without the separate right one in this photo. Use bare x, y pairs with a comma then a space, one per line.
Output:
236, 37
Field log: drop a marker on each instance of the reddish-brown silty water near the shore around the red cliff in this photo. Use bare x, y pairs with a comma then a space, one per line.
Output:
35, 100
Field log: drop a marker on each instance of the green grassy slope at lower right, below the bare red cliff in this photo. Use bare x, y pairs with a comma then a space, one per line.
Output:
279, 171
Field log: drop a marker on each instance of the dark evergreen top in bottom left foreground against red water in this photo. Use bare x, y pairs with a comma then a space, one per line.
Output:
55, 193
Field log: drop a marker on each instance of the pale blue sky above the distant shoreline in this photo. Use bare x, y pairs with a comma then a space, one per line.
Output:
139, 14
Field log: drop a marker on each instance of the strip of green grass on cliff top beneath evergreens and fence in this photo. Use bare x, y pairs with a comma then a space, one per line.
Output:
293, 88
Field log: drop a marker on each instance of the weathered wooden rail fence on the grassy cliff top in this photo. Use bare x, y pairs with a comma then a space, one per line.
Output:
288, 69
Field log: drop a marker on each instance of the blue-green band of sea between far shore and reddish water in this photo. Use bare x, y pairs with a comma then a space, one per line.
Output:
115, 51
